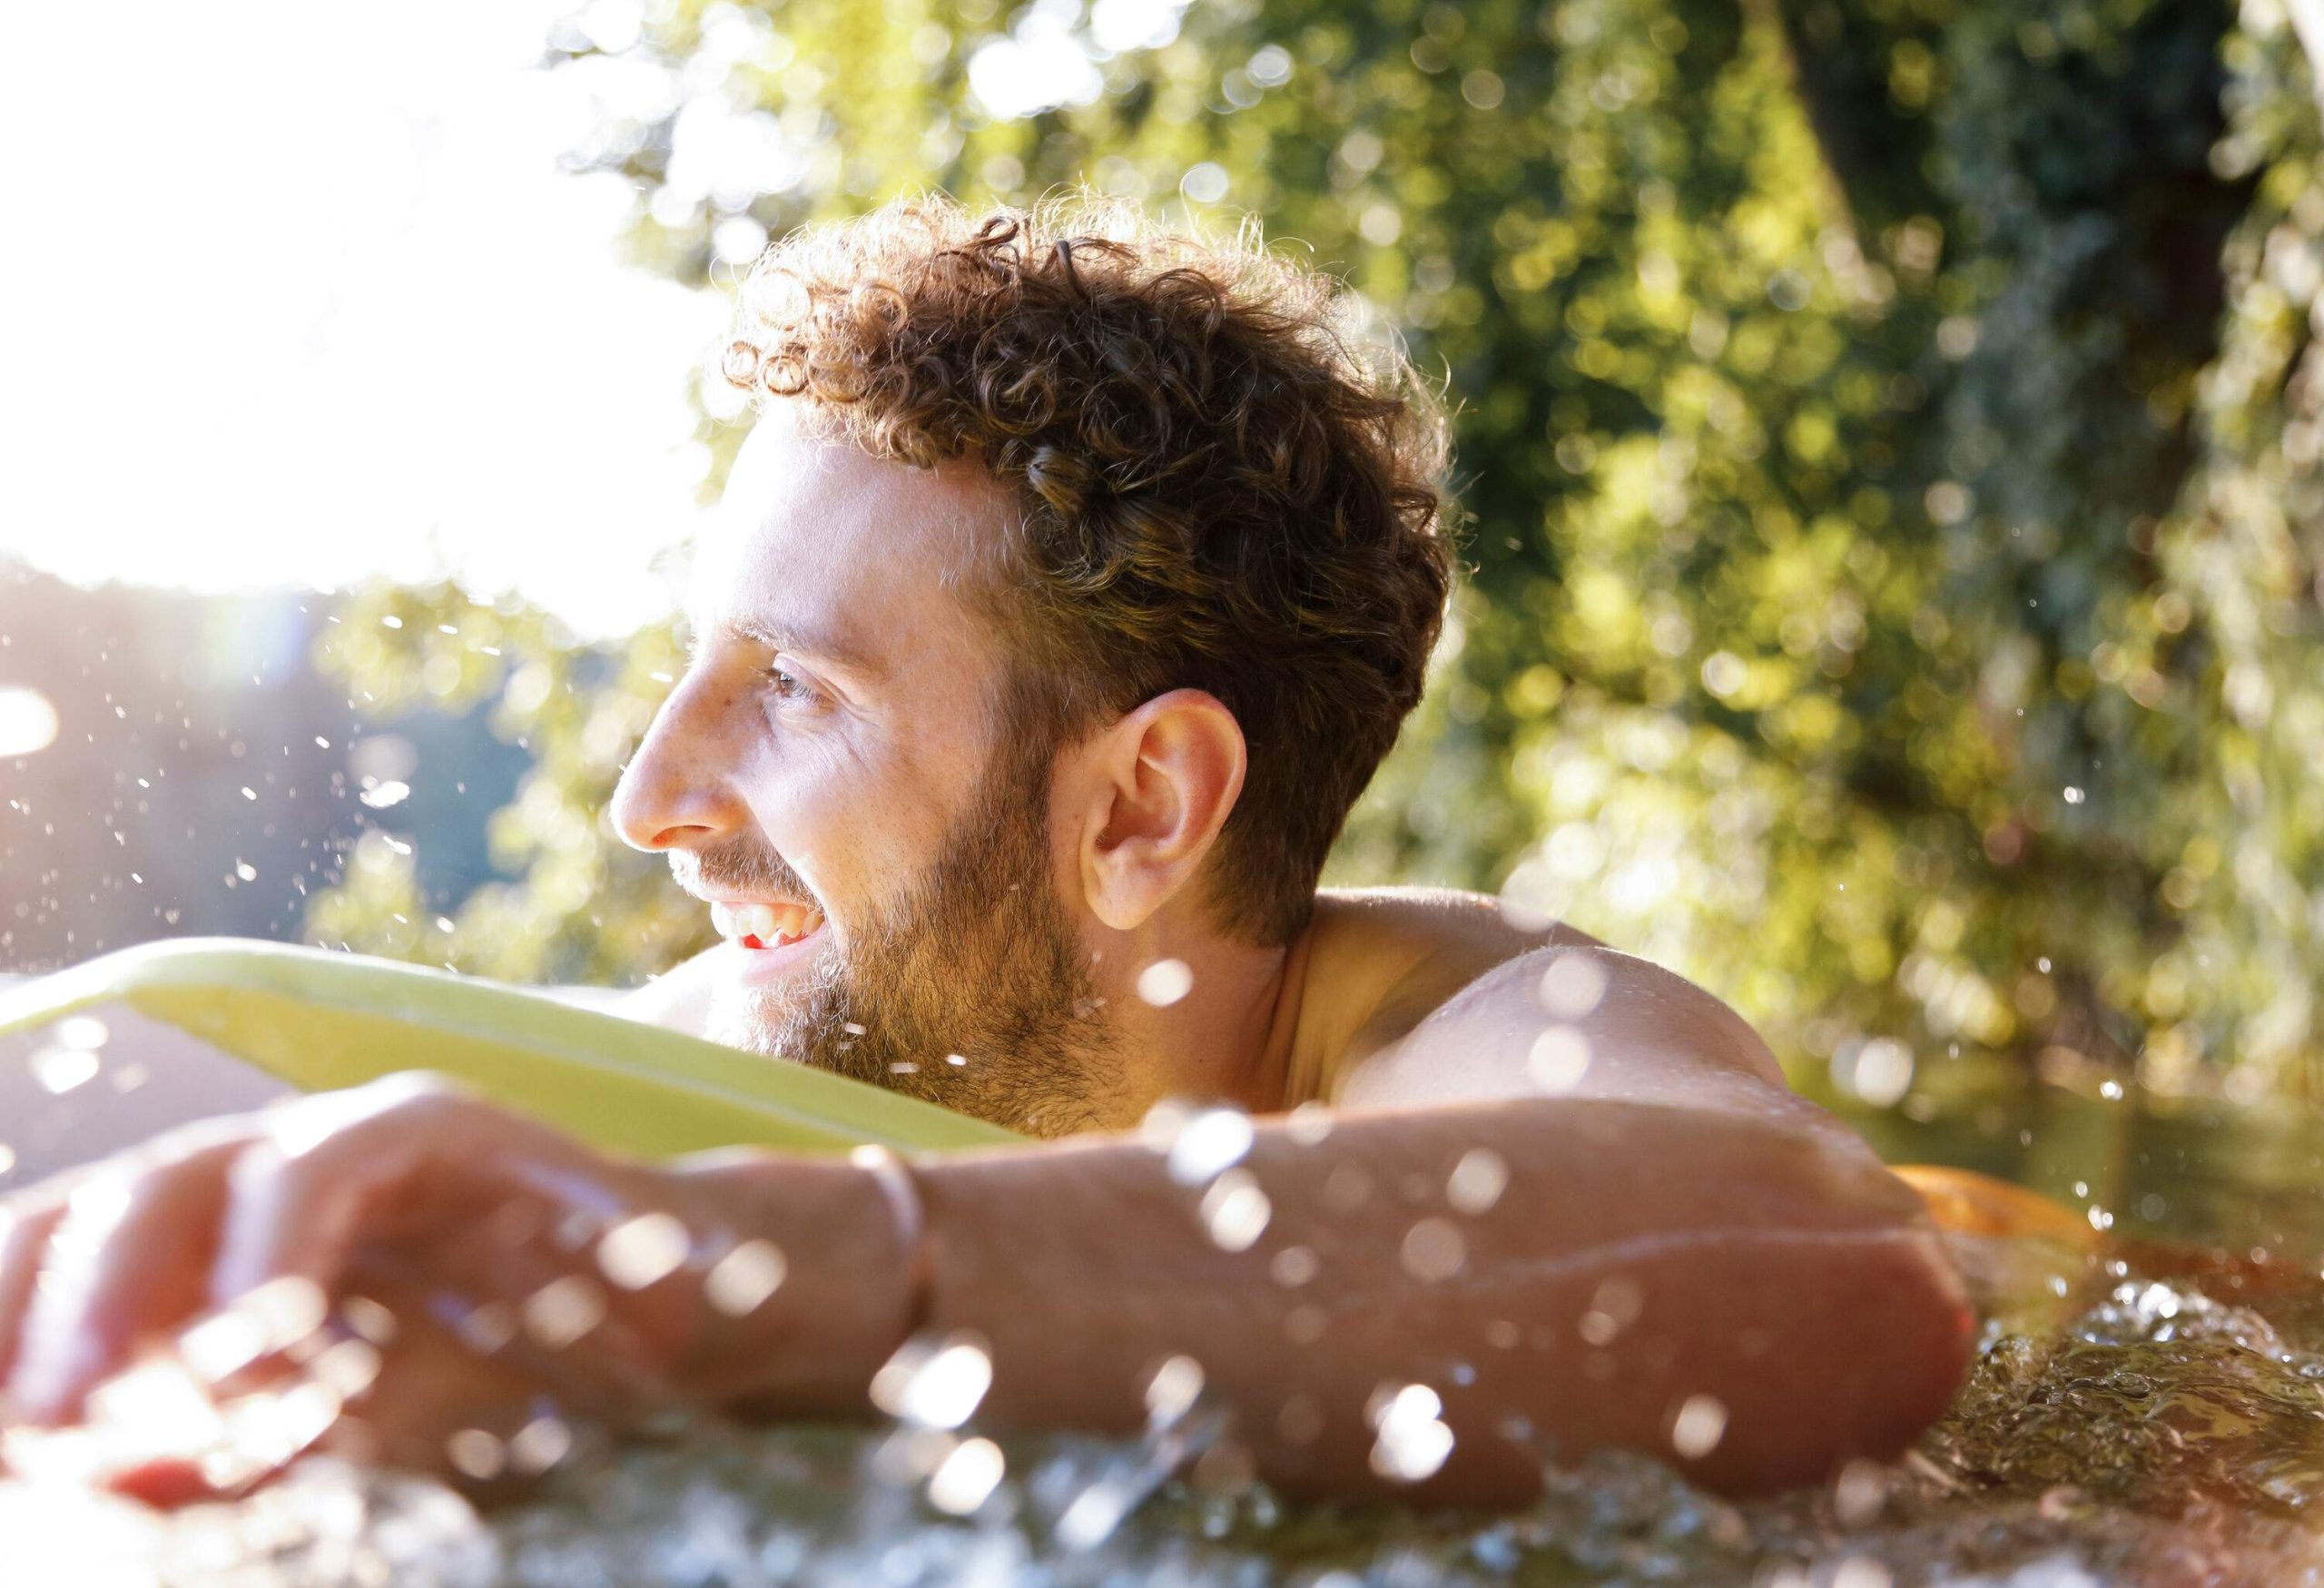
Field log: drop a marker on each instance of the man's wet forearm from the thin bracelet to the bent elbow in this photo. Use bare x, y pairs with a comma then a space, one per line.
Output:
1633, 1264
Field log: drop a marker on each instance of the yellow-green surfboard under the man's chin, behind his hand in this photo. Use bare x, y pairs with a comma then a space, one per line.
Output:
310, 1020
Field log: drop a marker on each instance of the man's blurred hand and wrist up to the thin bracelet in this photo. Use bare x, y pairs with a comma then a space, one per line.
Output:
415, 1278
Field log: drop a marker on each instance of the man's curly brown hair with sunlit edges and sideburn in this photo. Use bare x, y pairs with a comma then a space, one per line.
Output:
1224, 487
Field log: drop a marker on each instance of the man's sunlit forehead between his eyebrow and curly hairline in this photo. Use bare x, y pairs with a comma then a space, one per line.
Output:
817, 531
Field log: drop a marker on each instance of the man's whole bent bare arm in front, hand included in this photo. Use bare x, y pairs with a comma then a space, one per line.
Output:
1716, 1278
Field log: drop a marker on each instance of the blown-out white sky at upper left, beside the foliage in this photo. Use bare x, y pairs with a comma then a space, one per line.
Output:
296, 294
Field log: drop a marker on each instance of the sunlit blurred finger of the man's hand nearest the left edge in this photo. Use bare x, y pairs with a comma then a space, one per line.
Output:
127, 1259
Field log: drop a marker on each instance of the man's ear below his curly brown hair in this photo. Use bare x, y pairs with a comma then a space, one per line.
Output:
1165, 778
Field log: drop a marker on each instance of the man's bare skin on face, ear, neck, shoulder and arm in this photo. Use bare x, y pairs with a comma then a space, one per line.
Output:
1674, 1229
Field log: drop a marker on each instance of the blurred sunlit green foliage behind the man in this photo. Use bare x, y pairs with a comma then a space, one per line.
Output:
1888, 436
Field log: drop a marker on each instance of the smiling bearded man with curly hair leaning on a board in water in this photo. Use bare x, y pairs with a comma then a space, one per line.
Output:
1068, 592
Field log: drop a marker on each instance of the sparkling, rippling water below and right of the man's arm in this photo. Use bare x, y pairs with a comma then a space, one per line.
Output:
2144, 1412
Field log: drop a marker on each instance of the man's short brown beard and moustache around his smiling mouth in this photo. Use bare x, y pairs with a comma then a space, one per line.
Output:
977, 961
